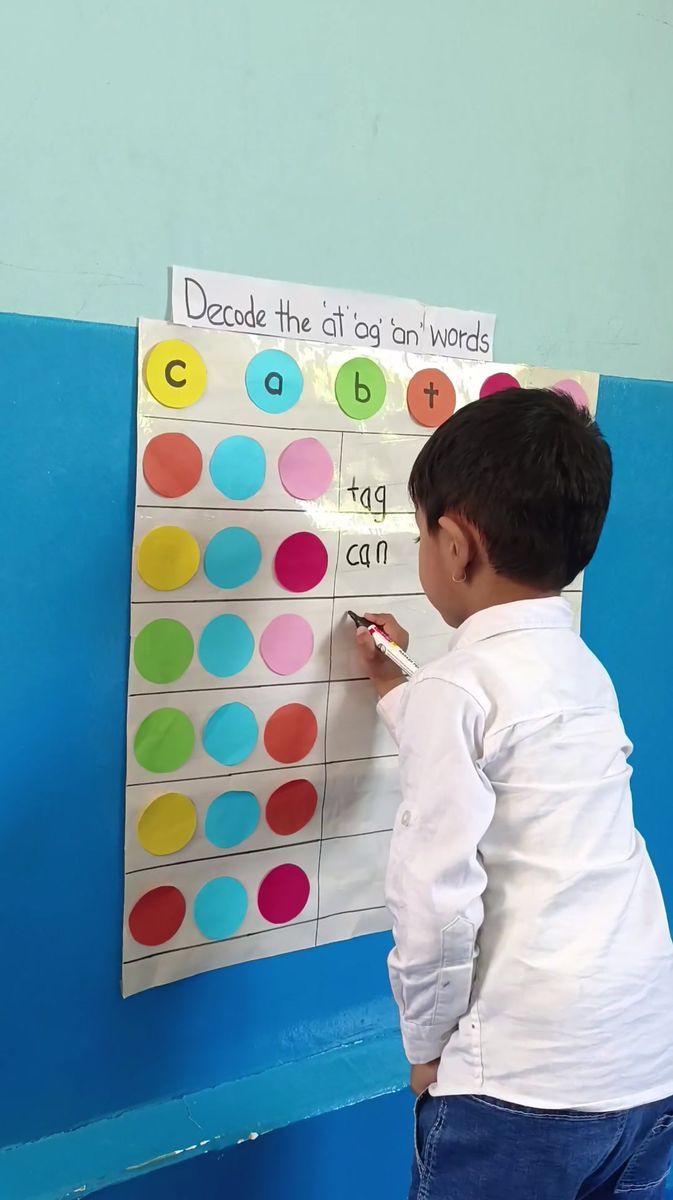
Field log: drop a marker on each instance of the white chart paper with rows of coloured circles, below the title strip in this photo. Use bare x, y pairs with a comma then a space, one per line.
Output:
262, 788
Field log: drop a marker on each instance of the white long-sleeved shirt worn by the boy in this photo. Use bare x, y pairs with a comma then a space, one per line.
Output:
532, 949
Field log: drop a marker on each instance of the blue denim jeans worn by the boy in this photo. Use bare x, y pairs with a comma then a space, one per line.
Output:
472, 1148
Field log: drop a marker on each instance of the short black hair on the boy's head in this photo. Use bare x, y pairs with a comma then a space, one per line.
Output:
531, 472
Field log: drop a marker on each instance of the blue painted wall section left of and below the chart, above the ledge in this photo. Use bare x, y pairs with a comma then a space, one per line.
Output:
73, 1049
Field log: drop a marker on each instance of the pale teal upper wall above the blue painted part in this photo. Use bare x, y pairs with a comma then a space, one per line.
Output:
515, 158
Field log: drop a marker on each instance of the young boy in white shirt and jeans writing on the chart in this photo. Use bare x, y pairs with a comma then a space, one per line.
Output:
533, 965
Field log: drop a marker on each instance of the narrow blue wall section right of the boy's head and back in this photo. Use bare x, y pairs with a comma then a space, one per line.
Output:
628, 614
